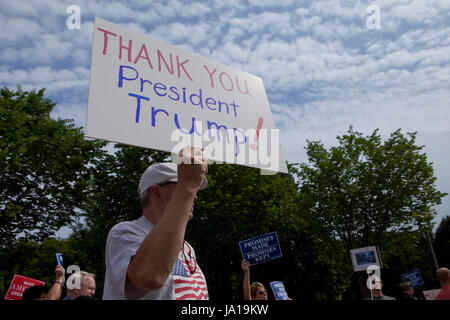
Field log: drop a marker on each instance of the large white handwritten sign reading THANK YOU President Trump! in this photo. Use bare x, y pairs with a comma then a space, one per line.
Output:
145, 92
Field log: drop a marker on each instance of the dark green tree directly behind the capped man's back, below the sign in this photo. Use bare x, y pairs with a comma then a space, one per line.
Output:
112, 199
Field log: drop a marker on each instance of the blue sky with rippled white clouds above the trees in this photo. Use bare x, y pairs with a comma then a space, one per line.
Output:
325, 64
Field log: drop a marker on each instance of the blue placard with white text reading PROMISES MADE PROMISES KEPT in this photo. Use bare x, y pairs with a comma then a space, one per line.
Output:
261, 249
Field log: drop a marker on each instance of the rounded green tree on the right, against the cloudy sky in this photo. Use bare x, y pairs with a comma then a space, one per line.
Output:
364, 192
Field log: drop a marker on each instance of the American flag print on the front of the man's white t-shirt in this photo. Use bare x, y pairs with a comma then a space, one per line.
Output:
190, 282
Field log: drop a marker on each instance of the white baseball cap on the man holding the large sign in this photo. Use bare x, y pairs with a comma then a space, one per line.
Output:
159, 173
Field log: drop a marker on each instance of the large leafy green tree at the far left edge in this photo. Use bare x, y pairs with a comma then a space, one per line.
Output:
44, 167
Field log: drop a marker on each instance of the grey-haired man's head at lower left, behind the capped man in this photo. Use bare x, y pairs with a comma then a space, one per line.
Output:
80, 284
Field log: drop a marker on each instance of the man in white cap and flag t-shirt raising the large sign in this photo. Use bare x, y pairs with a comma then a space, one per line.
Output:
148, 258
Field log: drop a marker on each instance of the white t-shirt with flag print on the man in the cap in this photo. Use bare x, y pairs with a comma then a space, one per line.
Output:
186, 281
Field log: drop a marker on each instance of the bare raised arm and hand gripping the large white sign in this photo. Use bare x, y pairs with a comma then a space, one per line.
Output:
155, 258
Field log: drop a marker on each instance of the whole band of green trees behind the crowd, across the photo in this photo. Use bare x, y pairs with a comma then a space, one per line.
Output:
363, 192
